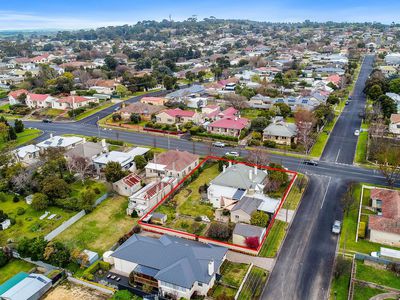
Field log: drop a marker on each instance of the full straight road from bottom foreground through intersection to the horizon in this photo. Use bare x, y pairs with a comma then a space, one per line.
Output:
303, 268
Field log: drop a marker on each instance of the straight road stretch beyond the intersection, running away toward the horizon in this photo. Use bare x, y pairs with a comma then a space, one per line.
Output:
342, 142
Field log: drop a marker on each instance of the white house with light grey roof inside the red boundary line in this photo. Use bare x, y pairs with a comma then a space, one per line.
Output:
234, 182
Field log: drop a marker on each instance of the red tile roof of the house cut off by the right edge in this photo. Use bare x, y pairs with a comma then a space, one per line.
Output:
389, 221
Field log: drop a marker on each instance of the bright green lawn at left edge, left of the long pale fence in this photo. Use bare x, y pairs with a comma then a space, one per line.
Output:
28, 224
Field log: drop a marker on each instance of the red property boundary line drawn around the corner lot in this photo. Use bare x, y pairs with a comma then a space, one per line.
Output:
157, 229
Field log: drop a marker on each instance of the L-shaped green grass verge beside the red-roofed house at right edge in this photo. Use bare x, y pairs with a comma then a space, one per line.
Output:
349, 230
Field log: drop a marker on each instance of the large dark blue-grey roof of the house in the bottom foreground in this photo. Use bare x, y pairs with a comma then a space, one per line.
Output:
177, 261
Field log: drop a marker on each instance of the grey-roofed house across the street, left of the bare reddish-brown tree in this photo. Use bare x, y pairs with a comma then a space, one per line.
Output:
281, 132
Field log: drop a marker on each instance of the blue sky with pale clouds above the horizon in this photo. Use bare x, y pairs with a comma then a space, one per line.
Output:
77, 14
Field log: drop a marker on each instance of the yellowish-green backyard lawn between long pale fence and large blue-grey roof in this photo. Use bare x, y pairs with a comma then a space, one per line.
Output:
100, 229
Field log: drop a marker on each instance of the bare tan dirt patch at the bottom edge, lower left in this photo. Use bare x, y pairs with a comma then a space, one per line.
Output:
68, 291
